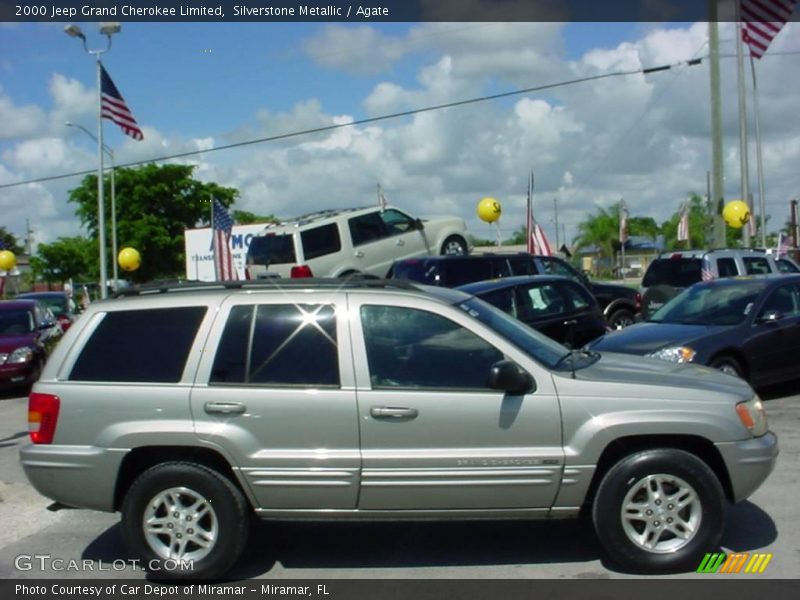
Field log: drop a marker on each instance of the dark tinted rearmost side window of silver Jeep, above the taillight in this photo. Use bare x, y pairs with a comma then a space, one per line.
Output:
140, 345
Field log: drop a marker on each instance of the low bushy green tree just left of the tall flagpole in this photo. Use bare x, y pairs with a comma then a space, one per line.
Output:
66, 258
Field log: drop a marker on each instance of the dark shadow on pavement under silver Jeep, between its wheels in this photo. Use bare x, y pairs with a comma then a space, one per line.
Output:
411, 545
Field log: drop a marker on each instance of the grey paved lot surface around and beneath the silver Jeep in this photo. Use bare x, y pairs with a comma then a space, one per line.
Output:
766, 523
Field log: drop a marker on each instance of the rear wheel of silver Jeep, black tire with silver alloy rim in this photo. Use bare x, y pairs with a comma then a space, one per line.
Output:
225, 512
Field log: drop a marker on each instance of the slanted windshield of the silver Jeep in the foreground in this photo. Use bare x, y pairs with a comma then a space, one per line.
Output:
540, 347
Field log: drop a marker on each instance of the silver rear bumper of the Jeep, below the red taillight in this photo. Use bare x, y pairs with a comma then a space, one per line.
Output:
65, 473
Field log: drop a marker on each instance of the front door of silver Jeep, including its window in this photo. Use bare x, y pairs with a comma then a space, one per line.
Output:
432, 435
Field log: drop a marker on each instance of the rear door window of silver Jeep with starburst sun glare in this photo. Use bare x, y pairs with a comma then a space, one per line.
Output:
277, 345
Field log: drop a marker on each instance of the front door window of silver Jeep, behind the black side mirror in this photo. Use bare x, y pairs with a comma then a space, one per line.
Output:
411, 348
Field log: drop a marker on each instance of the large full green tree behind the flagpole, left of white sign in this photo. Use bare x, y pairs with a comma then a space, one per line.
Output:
155, 205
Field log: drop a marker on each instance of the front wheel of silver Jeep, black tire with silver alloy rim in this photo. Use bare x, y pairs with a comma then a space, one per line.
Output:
679, 473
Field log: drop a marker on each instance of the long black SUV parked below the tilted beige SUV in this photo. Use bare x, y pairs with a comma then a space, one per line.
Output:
619, 303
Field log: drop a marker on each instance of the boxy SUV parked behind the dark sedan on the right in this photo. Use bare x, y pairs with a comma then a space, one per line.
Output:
672, 272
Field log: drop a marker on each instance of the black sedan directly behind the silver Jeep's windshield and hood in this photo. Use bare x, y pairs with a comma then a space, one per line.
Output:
560, 308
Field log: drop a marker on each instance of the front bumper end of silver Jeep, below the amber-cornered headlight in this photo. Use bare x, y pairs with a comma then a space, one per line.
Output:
749, 463
